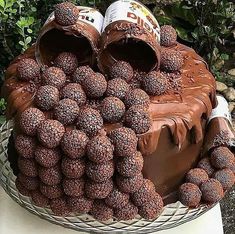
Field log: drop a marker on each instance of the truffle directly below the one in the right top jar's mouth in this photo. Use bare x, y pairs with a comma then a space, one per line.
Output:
117, 88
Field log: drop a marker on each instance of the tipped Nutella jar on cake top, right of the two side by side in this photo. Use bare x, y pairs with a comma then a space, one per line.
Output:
130, 33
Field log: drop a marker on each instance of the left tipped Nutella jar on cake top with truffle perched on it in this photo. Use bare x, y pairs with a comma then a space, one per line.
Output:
81, 38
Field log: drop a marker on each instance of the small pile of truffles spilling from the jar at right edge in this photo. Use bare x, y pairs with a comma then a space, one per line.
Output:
213, 177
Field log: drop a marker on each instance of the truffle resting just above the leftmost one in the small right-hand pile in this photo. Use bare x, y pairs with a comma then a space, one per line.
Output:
196, 176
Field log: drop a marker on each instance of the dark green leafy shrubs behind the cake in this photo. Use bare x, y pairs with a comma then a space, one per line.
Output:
205, 25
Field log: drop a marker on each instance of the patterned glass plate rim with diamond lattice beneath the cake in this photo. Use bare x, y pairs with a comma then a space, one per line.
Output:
173, 214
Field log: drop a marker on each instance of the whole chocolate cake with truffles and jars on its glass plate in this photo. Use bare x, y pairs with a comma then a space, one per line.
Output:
113, 125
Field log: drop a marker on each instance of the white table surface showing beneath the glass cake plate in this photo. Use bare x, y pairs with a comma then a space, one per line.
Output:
16, 220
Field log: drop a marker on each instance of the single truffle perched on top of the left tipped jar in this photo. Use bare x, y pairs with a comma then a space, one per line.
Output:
66, 13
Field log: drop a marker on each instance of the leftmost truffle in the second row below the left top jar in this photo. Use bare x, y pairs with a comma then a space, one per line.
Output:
47, 97
